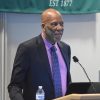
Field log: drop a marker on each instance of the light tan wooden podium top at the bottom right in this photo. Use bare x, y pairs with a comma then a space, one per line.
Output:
80, 97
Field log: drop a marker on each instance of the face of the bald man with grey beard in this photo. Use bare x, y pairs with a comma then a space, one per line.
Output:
53, 29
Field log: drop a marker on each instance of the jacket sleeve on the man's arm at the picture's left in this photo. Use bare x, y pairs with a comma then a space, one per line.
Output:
18, 74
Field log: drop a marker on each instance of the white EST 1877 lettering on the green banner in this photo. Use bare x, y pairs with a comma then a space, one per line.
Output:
62, 3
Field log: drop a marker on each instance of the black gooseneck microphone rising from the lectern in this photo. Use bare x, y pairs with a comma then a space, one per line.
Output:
75, 59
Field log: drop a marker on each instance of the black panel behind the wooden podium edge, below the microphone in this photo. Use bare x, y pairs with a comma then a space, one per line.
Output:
84, 88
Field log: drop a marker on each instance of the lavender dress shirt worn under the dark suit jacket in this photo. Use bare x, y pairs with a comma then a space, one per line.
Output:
62, 65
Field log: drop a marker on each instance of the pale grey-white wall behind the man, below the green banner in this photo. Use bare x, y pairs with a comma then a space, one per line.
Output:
81, 33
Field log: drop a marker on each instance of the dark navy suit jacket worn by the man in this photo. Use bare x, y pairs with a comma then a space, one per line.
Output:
31, 69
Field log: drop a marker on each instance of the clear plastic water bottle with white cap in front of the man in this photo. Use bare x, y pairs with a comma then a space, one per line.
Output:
40, 95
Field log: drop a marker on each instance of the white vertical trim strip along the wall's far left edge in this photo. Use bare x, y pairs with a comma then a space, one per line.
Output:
4, 56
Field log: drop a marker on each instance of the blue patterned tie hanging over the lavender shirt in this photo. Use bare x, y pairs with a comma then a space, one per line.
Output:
56, 72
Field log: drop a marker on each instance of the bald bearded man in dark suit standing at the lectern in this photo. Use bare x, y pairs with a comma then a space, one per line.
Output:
33, 65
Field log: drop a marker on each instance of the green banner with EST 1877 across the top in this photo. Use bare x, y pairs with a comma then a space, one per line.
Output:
37, 6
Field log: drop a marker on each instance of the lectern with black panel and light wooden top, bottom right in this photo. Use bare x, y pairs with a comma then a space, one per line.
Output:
82, 91
